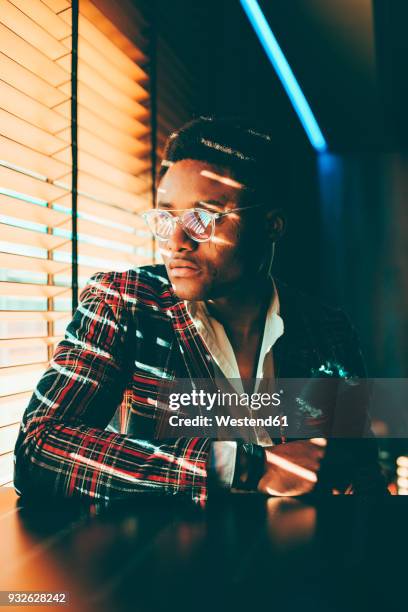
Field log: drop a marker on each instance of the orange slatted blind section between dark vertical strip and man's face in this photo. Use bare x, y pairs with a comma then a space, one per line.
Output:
114, 146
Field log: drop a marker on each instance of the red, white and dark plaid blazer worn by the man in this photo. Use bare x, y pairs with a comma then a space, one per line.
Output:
89, 429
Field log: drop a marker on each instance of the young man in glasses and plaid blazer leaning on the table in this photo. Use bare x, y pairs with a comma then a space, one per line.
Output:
213, 310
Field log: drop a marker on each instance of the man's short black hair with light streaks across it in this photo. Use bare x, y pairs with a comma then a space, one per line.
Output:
247, 152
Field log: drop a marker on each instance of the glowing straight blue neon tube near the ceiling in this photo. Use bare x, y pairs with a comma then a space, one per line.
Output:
284, 72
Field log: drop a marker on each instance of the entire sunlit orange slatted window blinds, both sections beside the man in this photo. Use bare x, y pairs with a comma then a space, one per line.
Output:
113, 180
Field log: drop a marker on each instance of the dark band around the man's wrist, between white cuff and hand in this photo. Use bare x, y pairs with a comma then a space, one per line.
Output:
249, 466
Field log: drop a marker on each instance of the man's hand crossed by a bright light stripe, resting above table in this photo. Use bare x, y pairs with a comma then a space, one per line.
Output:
291, 468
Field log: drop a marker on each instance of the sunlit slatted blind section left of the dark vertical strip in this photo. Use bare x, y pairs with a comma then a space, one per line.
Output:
35, 257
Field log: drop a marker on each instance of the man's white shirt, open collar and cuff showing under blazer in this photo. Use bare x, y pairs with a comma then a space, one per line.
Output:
223, 453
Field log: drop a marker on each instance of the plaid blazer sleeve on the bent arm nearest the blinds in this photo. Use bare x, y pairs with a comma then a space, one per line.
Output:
63, 448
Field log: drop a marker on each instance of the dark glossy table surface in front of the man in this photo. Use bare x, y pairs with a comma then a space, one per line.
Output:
241, 551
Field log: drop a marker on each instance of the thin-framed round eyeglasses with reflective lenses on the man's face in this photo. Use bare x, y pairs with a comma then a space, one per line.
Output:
197, 223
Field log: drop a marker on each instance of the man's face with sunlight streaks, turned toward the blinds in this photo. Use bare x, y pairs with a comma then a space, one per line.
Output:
207, 270
